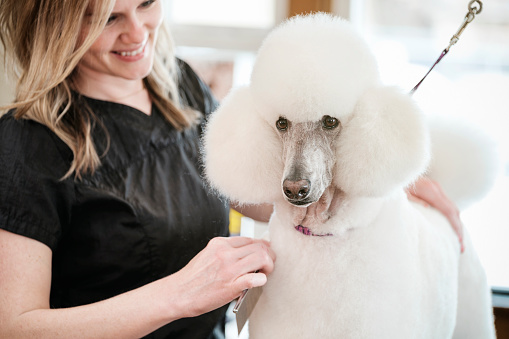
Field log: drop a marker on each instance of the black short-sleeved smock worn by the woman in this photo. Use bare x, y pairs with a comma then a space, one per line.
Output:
141, 216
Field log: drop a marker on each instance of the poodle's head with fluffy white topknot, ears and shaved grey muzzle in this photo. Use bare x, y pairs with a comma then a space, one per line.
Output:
313, 117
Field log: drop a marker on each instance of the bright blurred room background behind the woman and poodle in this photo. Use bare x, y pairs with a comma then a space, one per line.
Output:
219, 39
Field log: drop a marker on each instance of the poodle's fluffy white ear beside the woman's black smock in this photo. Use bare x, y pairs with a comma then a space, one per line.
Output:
242, 153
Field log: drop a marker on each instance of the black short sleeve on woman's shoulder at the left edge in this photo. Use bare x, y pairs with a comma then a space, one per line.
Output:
34, 201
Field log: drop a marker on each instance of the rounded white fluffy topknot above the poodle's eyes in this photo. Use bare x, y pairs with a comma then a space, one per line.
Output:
310, 66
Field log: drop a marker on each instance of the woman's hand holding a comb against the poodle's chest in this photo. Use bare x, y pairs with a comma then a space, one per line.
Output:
221, 271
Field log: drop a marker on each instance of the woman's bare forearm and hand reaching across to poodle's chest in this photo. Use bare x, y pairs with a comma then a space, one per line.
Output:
213, 278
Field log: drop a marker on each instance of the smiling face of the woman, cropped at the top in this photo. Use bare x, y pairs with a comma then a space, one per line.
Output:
125, 49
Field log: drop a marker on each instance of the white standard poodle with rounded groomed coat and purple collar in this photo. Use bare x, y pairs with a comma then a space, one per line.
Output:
317, 134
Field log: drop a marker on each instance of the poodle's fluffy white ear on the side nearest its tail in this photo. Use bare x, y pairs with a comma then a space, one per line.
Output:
383, 146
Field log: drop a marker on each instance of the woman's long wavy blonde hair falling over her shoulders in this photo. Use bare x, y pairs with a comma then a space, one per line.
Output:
46, 35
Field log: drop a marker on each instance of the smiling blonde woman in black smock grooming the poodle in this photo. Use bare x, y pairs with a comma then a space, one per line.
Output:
104, 214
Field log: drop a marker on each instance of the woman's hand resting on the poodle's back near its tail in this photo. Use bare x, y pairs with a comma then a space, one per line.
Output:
429, 193
